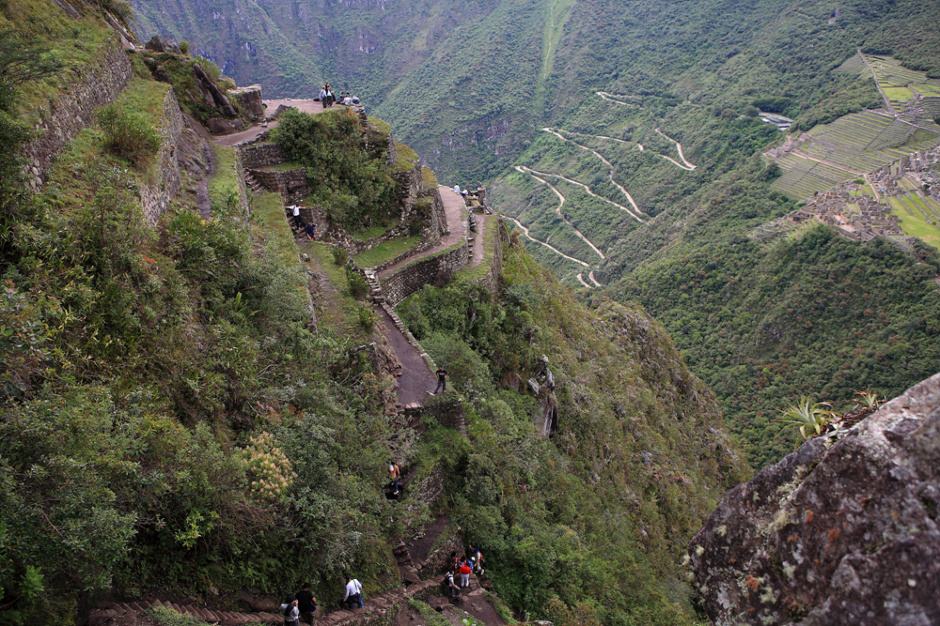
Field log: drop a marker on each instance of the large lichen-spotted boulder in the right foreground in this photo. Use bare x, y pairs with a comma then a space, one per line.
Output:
839, 532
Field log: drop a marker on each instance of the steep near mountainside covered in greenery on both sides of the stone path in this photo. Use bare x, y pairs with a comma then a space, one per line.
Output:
174, 420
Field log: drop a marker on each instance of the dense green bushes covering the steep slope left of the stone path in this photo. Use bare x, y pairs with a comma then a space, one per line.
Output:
168, 415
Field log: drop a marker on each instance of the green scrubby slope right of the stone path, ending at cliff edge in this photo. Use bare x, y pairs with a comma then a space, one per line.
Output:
589, 522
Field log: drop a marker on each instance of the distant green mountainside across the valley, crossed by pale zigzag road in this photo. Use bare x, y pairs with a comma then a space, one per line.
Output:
645, 119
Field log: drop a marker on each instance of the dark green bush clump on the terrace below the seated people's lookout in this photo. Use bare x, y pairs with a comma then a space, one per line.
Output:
350, 178
